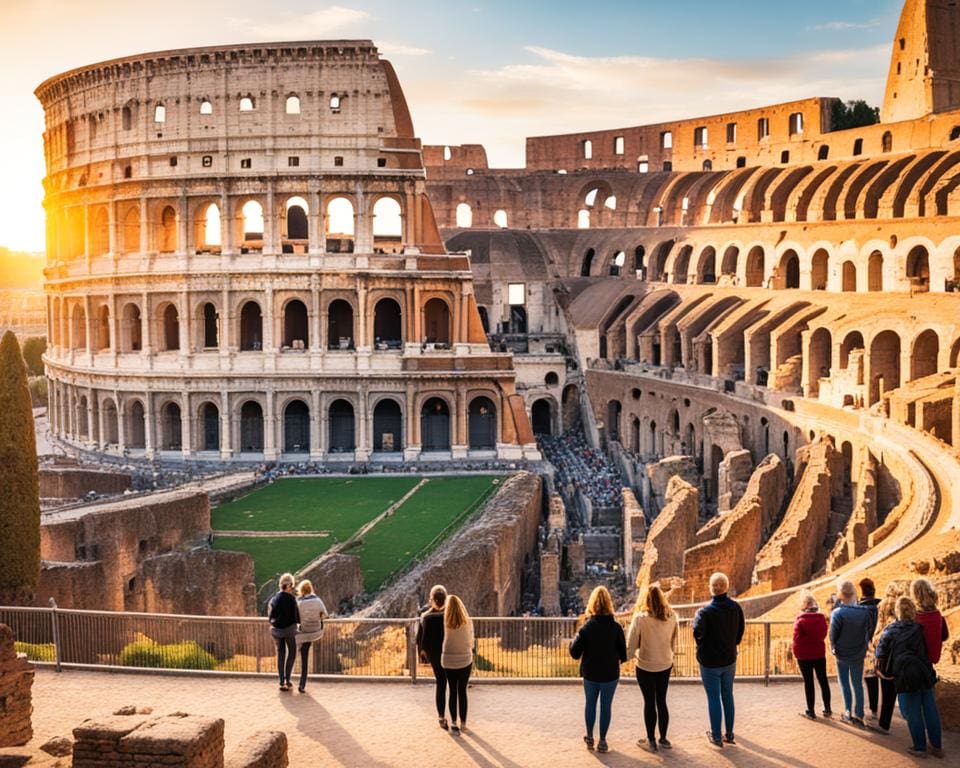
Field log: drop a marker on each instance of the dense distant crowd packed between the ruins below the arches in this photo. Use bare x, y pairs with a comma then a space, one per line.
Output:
582, 468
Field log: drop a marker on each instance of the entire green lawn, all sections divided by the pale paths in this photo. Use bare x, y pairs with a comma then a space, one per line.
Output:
342, 506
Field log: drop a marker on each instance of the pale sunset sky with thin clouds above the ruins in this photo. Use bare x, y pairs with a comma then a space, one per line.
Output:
488, 72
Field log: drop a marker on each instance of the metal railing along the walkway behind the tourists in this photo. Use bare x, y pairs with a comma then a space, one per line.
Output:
529, 648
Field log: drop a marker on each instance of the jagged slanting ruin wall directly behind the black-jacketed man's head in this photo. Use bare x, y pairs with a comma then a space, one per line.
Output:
737, 535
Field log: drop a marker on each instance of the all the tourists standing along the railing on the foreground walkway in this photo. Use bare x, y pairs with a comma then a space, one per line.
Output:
891, 645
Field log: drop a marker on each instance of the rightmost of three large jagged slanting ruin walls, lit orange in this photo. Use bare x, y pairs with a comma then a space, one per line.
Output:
795, 551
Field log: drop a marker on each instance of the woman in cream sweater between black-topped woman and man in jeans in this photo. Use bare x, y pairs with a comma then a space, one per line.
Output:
651, 641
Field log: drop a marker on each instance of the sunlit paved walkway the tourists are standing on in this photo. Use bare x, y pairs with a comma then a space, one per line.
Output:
394, 724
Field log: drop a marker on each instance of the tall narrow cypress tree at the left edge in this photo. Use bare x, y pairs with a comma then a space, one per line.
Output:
20, 497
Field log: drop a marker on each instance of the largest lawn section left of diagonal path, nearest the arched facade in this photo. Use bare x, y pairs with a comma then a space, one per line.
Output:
336, 504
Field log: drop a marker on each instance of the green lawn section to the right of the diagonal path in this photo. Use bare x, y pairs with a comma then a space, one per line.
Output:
403, 536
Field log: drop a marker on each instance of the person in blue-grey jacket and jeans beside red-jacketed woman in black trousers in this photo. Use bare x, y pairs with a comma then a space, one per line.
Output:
850, 631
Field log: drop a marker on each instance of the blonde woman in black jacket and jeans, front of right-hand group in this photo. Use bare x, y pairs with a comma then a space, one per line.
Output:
902, 655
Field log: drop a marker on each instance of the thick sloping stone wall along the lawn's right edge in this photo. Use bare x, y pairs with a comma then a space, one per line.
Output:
483, 562
